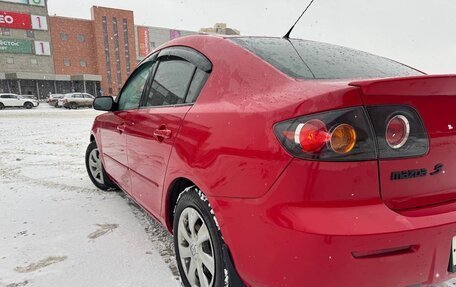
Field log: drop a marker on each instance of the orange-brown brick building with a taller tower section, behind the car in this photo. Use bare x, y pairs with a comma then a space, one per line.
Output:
104, 45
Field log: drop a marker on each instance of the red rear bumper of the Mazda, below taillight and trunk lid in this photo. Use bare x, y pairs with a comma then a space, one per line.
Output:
284, 239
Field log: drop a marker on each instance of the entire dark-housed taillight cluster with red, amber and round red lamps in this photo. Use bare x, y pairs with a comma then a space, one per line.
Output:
356, 134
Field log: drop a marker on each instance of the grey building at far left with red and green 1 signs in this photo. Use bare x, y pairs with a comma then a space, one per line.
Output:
26, 53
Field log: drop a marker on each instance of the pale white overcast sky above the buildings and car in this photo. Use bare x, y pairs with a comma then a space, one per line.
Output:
421, 33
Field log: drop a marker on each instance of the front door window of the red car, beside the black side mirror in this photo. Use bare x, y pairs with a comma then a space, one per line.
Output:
133, 89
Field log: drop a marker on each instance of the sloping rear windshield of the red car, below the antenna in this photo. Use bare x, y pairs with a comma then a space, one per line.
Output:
303, 59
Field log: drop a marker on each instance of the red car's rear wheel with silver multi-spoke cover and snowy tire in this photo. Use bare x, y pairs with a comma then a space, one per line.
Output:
192, 206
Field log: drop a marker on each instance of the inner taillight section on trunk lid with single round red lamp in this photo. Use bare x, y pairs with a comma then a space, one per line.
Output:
399, 130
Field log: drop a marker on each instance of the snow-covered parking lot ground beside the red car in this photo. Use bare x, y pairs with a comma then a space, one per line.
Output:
56, 228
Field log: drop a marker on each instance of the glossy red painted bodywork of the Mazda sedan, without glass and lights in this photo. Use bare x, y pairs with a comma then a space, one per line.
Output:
289, 221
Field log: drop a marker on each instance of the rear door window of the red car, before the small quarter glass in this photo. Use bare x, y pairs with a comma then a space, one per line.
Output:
171, 82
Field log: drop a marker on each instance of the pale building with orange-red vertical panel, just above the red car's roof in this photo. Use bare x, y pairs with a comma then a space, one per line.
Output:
149, 38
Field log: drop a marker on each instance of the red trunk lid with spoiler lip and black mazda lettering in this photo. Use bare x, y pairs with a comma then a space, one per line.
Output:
434, 98
